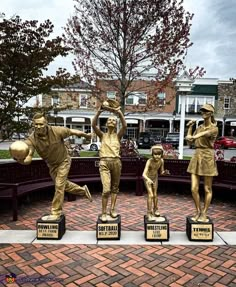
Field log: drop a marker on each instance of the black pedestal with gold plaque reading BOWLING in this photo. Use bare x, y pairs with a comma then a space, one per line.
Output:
53, 229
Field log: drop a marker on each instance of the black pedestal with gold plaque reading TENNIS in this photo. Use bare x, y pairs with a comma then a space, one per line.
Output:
199, 231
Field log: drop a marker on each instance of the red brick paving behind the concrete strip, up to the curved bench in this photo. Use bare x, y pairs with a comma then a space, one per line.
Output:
82, 215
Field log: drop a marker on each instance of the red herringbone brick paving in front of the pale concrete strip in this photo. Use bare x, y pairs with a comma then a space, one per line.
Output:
82, 265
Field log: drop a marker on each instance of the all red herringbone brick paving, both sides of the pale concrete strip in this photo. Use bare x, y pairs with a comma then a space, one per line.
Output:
114, 265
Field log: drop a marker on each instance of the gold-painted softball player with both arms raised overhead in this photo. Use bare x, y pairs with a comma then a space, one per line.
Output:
110, 163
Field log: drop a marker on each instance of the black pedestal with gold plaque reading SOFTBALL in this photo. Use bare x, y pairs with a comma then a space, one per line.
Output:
109, 230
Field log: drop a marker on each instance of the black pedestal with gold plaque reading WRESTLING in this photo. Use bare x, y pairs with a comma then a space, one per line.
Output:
156, 230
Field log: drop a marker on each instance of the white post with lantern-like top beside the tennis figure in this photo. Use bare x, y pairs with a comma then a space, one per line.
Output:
183, 86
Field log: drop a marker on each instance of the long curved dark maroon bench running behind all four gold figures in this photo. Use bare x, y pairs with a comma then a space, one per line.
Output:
17, 181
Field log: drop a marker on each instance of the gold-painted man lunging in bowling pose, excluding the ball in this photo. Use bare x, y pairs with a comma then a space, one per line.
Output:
48, 141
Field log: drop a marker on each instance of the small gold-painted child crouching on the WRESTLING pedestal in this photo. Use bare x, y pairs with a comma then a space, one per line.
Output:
150, 176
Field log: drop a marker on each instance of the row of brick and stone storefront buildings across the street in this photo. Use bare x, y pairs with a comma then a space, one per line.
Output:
147, 108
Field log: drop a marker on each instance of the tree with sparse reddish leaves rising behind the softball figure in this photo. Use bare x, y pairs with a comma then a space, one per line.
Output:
122, 39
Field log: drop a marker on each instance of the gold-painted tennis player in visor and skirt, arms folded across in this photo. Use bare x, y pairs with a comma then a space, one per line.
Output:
203, 161
